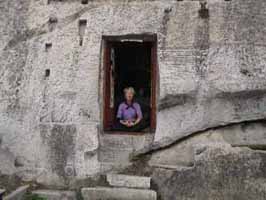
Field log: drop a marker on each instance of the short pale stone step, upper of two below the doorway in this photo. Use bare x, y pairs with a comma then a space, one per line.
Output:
119, 180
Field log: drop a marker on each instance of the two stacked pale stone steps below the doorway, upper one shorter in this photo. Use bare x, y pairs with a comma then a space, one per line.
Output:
122, 187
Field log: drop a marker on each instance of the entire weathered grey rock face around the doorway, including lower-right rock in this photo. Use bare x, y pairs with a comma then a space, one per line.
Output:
211, 61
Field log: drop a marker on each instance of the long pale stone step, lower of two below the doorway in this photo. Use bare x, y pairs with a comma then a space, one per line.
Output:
104, 193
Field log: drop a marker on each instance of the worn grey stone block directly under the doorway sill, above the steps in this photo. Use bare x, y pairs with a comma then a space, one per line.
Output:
115, 150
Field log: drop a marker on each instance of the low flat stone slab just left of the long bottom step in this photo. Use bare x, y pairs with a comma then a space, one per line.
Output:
55, 194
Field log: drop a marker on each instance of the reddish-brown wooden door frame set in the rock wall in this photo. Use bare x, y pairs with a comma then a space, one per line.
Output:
108, 40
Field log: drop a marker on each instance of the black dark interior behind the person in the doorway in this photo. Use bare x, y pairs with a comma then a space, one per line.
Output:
133, 69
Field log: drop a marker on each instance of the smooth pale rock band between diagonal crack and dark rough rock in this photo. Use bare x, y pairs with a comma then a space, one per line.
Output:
182, 154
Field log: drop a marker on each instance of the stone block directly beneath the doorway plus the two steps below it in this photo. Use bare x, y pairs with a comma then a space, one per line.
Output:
114, 156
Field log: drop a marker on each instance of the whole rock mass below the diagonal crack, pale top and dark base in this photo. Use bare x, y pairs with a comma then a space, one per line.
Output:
217, 170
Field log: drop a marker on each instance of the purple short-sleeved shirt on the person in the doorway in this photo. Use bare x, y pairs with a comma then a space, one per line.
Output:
129, 112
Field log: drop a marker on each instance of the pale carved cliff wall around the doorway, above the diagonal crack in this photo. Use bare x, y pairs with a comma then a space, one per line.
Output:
211, 60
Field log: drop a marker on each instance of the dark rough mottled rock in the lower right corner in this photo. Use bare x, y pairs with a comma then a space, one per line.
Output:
219, 173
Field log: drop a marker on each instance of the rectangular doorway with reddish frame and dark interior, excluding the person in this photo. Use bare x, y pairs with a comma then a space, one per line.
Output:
130, 61
